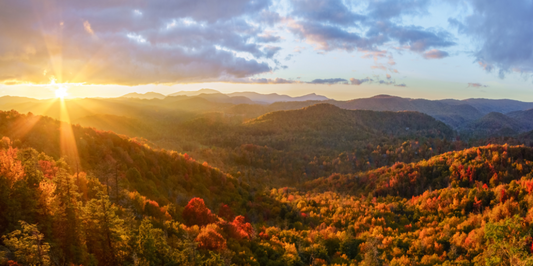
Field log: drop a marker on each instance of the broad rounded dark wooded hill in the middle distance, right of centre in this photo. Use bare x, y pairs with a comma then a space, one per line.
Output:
330, 126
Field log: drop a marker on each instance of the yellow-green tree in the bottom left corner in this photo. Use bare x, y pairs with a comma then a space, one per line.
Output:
28, 245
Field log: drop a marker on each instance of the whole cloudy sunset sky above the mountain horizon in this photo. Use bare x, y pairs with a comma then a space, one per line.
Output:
340, 49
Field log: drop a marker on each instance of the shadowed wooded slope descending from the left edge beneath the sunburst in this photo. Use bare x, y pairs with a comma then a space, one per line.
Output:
158, 174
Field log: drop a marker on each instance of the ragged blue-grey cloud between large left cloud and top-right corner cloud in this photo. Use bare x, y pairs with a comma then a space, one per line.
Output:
330, 25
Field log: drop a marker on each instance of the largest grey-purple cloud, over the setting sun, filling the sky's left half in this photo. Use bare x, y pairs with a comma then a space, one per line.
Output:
131, 43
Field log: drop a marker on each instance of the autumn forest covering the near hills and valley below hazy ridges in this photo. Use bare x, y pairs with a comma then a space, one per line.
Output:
313, 185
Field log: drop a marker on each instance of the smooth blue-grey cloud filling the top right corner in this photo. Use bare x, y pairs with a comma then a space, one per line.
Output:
505, 34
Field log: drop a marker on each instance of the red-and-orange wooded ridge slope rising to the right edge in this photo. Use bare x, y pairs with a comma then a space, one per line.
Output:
490, 165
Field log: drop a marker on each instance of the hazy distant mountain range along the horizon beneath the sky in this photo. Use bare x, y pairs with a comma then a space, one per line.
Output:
471, 116
